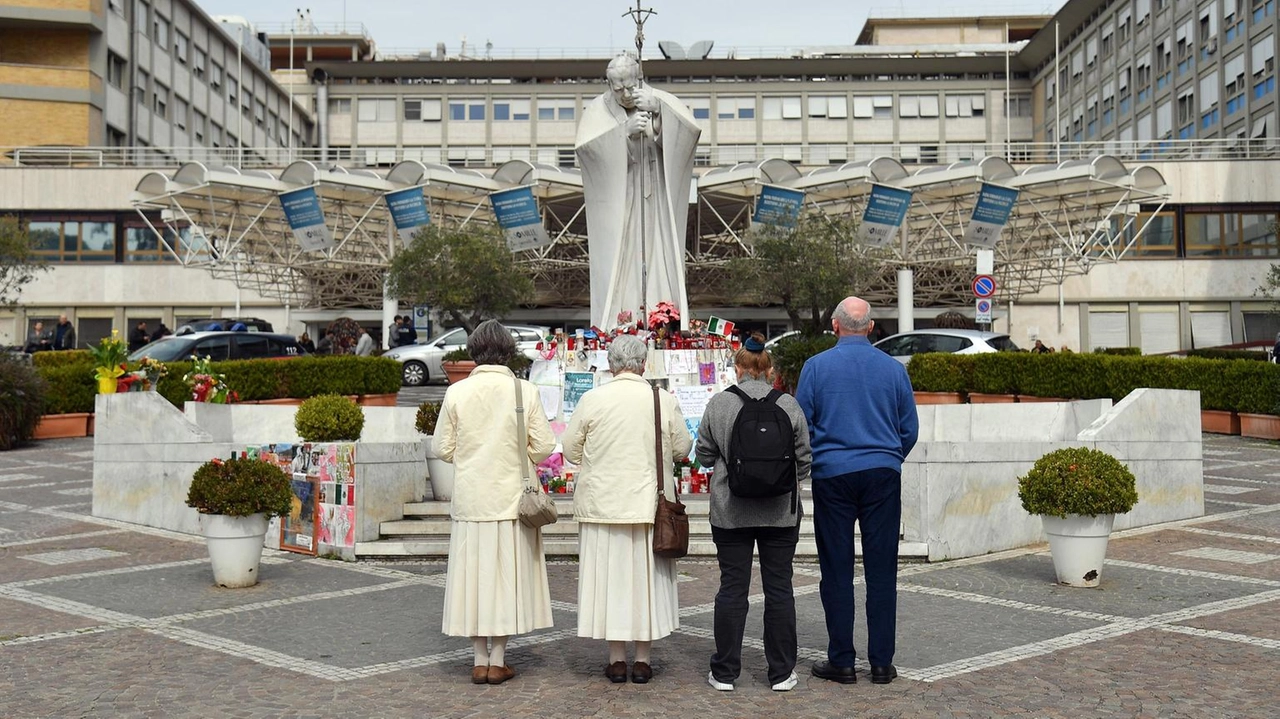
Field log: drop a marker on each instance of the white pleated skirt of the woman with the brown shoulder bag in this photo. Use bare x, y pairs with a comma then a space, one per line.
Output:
624, 592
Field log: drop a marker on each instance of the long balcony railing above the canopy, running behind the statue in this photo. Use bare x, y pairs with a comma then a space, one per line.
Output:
808, 157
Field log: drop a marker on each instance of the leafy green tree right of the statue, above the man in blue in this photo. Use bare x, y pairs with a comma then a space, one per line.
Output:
807, 269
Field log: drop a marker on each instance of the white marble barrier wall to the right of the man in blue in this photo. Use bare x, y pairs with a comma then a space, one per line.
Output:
961, 483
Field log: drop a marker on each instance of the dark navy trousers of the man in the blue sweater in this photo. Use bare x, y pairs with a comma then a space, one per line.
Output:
875, 500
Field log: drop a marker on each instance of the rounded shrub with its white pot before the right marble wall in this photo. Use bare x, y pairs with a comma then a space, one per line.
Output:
1078, 492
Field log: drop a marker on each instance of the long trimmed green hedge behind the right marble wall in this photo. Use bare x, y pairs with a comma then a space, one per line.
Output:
1241, 386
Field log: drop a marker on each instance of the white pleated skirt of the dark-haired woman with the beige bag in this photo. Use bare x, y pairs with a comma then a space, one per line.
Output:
496, 585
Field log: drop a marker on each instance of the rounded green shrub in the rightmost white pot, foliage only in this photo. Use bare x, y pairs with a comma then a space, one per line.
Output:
1078, 482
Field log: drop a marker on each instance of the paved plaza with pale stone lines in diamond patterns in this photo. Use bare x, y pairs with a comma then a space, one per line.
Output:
100, 619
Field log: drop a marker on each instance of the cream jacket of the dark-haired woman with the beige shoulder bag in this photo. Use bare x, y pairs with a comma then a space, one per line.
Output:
477, 432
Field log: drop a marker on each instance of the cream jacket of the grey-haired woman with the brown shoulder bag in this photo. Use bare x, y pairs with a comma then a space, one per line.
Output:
611, 441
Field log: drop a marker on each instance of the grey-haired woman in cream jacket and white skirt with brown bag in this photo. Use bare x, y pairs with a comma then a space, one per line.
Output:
624, 592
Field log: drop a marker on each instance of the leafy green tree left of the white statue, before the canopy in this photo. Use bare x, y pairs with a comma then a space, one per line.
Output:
464, 272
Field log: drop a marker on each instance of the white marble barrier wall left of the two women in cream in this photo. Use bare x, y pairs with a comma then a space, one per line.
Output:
147, 451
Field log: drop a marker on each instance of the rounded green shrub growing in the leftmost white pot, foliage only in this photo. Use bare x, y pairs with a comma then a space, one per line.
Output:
239, 488
